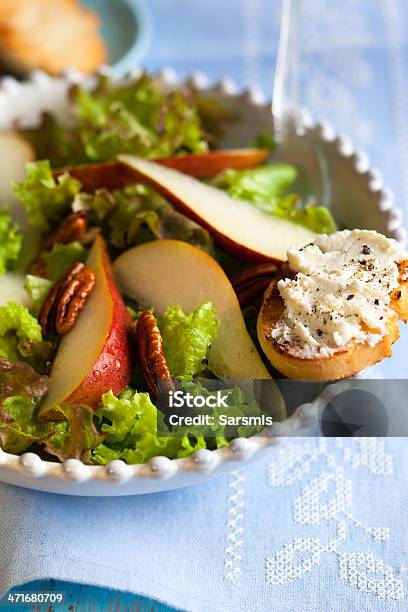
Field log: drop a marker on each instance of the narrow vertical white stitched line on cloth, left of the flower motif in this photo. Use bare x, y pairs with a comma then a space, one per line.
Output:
235, 528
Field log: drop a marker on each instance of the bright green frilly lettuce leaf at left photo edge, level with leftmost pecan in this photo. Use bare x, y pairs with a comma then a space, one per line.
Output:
19, 330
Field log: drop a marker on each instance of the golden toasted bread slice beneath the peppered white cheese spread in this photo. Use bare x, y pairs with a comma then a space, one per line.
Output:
356, 356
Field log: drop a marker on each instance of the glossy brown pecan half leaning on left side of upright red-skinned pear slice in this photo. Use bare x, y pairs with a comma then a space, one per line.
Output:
66, 299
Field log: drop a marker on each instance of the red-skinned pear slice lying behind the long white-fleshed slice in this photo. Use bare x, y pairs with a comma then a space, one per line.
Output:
115, 175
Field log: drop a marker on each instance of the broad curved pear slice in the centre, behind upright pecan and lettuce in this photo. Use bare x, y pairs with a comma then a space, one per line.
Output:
167, 273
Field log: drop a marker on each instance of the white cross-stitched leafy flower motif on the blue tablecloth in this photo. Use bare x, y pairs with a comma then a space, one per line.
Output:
328, 496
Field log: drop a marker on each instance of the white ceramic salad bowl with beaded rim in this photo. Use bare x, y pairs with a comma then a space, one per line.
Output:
359, 200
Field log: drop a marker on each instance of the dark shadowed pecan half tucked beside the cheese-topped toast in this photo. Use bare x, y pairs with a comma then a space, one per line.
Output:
251, 284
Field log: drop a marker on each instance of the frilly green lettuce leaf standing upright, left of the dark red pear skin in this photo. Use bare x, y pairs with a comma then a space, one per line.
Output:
45, 199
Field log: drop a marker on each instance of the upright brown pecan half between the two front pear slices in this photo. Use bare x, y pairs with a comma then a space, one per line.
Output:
150, 355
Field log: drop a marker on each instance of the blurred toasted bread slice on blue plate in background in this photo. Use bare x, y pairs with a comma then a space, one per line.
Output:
49, 34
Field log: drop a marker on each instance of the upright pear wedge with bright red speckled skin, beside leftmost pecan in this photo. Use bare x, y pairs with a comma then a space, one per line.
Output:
94, 356
